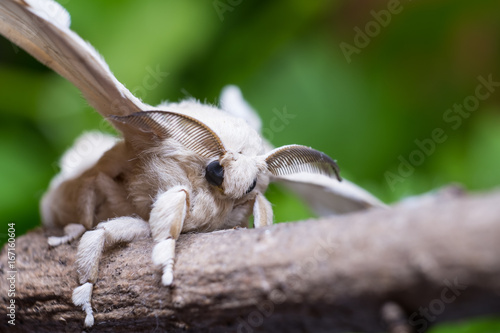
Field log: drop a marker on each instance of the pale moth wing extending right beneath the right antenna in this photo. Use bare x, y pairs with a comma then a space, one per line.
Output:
327, 196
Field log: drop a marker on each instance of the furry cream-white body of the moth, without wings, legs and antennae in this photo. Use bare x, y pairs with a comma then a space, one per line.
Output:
141, 177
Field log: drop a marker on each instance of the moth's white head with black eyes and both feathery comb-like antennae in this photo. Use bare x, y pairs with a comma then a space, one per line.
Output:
232, 173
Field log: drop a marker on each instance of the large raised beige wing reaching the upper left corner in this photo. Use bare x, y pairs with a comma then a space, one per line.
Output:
42, 28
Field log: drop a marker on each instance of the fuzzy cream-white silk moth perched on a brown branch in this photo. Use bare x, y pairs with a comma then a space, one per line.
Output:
178, 167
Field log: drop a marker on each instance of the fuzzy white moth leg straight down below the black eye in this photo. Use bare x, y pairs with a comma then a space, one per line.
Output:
166, 222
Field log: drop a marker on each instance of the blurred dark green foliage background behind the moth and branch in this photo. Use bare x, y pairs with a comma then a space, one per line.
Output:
365, 111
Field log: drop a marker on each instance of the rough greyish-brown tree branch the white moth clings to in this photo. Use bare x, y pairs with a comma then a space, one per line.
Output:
338, 274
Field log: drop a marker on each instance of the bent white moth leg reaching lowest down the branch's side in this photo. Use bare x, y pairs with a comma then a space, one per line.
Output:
92, 244
